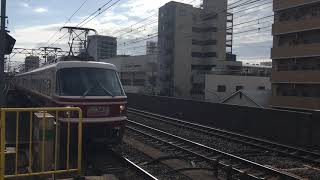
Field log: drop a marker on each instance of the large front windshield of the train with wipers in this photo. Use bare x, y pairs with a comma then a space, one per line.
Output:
88, 82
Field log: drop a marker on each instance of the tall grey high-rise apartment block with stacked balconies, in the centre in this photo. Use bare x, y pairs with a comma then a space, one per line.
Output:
191, 43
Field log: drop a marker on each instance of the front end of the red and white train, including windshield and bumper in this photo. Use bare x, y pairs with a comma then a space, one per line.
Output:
97, 90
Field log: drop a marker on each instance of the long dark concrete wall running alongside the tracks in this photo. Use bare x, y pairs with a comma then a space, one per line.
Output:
294, 128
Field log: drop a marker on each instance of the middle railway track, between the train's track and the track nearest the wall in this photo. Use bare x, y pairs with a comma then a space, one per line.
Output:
233, 166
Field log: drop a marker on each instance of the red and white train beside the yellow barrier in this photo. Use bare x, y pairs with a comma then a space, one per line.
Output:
95, 87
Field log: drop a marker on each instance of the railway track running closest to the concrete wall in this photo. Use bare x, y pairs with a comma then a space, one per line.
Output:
289, 151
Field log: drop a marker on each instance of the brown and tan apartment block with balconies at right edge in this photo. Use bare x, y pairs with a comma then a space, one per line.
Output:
296, 54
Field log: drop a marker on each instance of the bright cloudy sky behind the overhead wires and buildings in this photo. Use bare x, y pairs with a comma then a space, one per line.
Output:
36, 23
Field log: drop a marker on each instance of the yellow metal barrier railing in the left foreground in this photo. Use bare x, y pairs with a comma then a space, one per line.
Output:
56, 113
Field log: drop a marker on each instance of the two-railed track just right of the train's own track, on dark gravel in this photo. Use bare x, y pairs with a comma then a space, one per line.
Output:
237, 164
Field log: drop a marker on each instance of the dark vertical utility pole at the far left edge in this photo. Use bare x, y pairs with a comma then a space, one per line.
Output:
2, 51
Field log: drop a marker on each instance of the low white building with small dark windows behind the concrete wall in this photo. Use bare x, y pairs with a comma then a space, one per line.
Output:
220, 87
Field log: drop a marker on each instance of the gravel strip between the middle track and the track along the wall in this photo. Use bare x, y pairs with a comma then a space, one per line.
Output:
274, 160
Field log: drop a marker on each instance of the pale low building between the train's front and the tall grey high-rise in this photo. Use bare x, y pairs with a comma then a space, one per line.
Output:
138, 74
